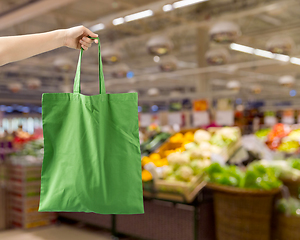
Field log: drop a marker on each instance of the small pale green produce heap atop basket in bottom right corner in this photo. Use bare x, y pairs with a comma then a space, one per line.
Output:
289, 206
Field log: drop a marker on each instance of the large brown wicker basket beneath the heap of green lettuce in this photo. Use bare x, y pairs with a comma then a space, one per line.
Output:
242, 214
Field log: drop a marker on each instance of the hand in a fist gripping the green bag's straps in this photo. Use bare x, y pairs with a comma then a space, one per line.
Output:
77, 37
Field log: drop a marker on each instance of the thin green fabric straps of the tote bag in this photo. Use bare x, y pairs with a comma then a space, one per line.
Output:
76, 88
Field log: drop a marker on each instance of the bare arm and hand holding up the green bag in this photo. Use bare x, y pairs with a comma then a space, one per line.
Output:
16, 48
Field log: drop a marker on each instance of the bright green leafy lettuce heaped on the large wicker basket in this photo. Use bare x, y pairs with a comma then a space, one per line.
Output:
255, 176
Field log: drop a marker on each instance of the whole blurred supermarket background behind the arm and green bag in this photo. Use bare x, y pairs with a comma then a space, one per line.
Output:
219, 114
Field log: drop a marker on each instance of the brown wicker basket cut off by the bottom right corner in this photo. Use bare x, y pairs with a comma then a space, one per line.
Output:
287, 227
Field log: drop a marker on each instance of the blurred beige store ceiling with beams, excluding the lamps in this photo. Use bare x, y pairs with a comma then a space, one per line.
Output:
187, 28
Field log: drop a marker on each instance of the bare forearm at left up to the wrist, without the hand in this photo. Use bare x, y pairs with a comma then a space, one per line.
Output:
16, 48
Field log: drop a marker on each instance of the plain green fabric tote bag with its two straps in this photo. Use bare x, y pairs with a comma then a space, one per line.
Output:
92, 160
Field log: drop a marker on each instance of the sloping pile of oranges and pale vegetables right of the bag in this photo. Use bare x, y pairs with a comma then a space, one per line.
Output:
190, 156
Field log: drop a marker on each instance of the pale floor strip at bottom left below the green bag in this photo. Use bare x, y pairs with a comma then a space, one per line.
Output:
52, 233
